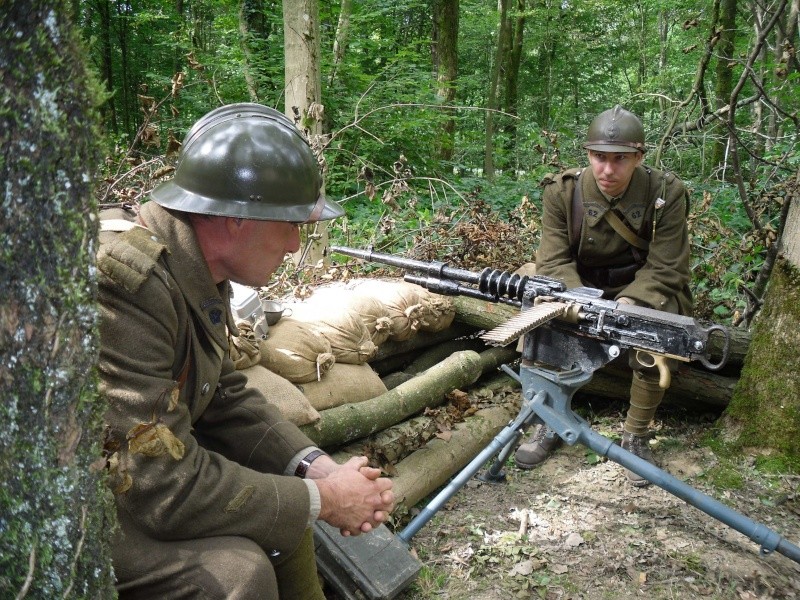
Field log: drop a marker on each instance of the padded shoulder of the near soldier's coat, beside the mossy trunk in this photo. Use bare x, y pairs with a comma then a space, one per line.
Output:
128, 252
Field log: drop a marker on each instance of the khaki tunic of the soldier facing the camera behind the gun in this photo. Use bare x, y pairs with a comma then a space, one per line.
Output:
654, 204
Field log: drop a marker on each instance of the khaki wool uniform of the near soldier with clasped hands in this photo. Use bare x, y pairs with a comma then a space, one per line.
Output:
198, 462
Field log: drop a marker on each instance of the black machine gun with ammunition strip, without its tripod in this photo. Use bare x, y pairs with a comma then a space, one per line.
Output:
585, 313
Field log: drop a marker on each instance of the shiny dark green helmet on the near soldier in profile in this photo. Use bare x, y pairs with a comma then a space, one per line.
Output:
248, 161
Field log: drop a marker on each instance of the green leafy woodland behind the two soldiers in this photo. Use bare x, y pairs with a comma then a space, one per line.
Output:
425, 106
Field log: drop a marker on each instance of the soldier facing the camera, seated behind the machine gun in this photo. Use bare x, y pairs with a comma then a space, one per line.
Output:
619, 226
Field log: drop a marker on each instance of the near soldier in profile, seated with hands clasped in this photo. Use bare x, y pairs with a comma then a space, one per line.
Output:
215, 491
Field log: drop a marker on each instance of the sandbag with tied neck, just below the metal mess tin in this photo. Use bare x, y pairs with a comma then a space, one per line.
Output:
296, 351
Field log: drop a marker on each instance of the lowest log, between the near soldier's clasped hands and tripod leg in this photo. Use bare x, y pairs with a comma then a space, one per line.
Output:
427, 469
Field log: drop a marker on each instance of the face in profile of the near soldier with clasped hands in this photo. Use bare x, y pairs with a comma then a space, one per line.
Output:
260, 248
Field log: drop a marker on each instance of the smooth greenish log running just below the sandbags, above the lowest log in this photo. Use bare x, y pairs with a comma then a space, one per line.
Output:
353, 421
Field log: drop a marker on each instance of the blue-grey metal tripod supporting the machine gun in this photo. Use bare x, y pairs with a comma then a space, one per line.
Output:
547, 398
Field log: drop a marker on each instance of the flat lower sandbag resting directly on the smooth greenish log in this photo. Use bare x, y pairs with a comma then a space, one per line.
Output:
343, 384
